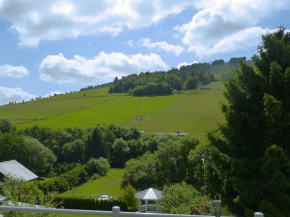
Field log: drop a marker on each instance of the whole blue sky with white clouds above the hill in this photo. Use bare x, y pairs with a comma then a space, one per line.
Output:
58, 46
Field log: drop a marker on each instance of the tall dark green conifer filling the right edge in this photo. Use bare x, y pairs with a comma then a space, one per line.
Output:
251, 156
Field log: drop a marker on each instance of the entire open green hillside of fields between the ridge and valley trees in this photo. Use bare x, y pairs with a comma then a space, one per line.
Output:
194, 112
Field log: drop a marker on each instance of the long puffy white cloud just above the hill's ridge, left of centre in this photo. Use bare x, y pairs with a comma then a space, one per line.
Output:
100, 69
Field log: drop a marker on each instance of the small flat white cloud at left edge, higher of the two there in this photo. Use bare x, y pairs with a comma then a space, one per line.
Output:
13, 71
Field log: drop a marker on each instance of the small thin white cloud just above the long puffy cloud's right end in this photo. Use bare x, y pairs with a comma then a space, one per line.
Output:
162, 46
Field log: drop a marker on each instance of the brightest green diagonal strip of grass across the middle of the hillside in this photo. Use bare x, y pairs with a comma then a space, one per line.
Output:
118, 110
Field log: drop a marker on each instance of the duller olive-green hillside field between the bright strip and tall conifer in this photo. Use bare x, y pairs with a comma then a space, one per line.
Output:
196, 113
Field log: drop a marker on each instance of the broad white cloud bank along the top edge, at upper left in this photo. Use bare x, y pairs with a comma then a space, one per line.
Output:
35, 21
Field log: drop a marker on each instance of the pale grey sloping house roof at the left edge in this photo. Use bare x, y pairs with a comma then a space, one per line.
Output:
16, 170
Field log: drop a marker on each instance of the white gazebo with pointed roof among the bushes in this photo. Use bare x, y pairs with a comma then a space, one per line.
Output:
150, 194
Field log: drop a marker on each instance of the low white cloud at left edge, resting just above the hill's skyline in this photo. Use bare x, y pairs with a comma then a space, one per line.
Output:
13, 95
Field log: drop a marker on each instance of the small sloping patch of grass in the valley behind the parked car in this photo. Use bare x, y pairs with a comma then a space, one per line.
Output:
109, 185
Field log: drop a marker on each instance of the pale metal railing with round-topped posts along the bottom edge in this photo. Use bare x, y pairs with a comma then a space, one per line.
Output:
114, 213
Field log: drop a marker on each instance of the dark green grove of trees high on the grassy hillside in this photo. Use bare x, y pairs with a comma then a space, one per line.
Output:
162, 83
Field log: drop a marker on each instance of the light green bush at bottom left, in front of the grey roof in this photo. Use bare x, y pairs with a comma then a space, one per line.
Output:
27, 192
